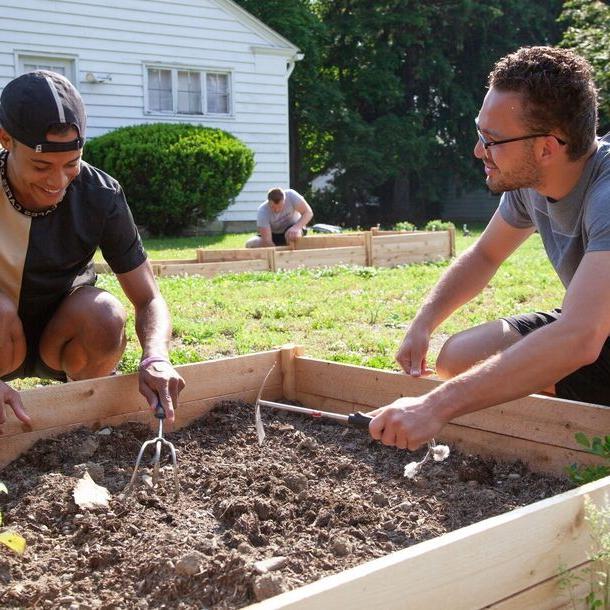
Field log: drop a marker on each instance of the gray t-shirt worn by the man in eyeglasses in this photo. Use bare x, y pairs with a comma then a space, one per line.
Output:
572, 226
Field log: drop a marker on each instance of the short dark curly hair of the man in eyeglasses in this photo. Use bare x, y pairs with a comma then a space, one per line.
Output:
559, 93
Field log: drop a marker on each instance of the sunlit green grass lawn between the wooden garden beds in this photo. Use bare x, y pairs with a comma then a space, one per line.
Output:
347, 314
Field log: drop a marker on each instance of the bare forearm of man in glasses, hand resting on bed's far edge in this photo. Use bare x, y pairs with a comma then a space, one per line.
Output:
464, 279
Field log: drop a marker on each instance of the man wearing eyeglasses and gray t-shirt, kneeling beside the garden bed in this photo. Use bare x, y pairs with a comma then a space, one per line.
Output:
537, 142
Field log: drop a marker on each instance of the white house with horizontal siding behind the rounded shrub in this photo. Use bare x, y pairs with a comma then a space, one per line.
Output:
206, 62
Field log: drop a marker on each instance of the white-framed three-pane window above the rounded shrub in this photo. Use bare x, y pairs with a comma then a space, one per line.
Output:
189, 92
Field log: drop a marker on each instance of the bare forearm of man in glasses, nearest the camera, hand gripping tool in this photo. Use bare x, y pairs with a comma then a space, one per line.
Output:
533, 363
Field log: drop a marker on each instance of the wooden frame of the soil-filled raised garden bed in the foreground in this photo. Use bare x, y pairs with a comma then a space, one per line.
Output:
508, 561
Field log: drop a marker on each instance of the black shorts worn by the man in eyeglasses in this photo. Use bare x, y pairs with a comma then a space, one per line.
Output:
591, 383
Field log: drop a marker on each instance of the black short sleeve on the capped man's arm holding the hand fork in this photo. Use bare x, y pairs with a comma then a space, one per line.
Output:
121, 244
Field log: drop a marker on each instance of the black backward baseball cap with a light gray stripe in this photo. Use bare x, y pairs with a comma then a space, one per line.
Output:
33, 102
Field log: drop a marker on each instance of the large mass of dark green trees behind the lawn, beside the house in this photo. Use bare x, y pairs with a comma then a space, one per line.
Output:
387, 93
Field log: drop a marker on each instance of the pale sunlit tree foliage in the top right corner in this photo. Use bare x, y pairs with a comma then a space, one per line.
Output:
588, 33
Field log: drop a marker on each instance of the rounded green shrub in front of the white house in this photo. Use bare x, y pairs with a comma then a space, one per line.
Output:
173, 175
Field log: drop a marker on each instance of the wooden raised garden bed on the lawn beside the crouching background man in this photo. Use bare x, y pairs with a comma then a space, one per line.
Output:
369, 248
